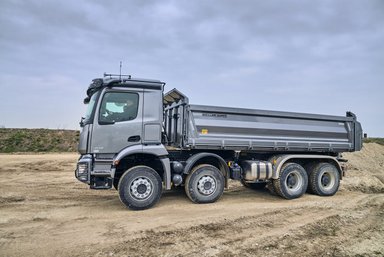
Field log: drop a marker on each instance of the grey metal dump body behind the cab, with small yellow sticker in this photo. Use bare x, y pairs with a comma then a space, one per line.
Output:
210, 127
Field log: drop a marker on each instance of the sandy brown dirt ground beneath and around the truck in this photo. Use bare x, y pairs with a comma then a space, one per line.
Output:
45, 211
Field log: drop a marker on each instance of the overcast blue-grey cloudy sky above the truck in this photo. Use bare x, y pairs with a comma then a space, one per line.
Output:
321, 56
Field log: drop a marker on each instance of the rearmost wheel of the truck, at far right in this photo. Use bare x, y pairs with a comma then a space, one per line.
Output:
324, 179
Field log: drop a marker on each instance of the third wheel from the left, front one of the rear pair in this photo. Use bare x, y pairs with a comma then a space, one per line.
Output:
292, 182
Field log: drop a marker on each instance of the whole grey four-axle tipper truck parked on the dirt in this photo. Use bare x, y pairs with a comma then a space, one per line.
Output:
140, 141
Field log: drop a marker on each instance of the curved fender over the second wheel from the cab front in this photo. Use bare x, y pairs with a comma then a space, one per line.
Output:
208, 158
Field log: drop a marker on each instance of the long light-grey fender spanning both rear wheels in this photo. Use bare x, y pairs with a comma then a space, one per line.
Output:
279, 161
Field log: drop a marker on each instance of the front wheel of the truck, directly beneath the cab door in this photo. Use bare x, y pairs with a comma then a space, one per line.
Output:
140, 188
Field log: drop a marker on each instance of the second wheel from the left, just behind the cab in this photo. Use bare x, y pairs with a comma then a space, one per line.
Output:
204, 184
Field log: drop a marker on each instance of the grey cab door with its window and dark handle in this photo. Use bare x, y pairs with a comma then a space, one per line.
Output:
118, 120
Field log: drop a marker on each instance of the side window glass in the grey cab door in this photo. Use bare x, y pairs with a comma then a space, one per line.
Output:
118, 107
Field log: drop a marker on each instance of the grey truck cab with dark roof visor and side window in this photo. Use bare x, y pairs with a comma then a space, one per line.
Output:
124, 116
